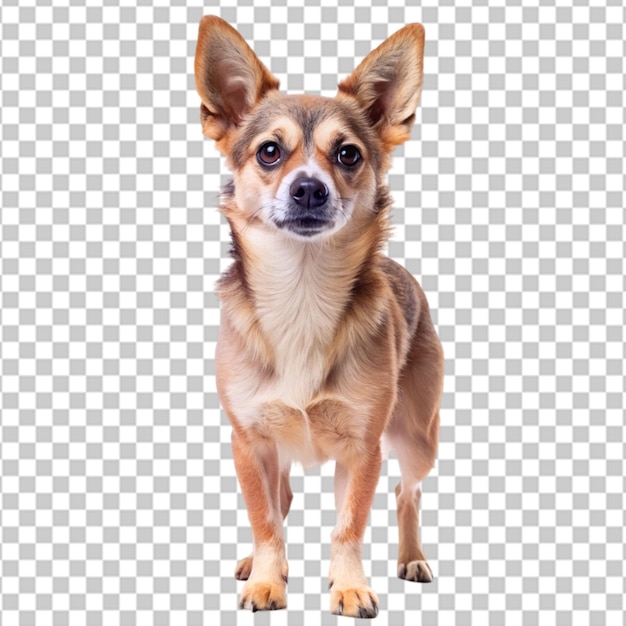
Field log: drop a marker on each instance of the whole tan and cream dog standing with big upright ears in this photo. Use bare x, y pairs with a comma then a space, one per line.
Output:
326, 347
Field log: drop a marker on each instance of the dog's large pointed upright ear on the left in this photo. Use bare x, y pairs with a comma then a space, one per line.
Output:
230, 78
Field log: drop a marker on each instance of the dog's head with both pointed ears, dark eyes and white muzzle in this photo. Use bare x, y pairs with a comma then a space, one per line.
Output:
306, 165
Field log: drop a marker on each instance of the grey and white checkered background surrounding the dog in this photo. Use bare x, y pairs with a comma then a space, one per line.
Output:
119, 498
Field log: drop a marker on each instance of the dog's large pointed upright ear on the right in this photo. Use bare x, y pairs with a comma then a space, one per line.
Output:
388, 83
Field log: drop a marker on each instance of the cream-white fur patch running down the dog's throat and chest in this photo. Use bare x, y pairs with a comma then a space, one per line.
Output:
299, 296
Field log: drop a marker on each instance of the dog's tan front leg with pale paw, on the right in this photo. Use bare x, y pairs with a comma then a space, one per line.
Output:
355, 484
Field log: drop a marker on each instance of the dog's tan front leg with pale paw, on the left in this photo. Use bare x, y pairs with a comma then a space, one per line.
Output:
257, 468
